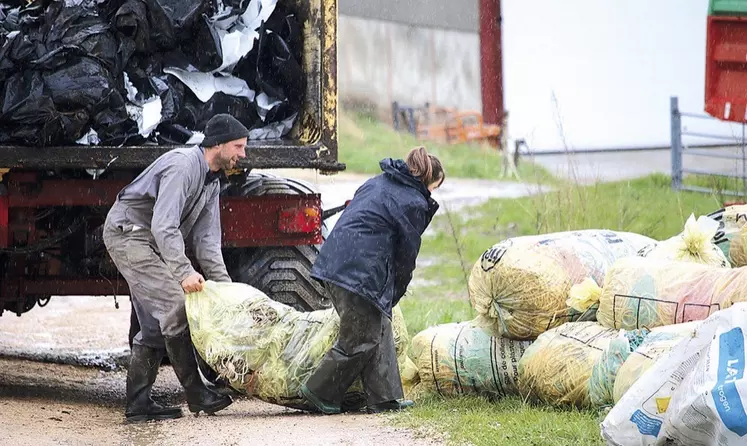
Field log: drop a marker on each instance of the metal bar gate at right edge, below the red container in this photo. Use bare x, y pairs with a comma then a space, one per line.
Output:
708, 162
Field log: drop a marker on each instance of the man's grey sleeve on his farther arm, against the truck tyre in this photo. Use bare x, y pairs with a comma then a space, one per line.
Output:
206, 241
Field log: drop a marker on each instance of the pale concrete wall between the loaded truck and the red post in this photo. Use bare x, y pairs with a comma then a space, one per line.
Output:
381, 62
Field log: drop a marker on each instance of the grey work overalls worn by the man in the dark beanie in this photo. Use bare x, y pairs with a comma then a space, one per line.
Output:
172, 203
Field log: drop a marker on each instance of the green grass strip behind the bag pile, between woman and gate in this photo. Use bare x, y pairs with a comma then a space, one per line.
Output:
645, 206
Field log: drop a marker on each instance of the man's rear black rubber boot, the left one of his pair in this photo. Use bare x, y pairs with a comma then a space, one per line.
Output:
141, 375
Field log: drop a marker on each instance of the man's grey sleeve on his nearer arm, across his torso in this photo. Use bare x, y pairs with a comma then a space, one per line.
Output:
172, 196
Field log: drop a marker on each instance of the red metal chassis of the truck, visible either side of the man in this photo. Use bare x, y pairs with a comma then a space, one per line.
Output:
271, 220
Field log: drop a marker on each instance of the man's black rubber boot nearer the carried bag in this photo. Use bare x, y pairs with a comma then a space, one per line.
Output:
184, 362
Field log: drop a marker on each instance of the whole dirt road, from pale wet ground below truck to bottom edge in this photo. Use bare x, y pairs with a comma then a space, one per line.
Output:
44, 403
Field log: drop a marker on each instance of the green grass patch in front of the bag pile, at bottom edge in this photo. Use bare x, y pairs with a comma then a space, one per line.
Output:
508, 422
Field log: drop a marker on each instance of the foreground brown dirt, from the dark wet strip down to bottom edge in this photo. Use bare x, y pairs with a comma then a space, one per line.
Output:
45, 404
